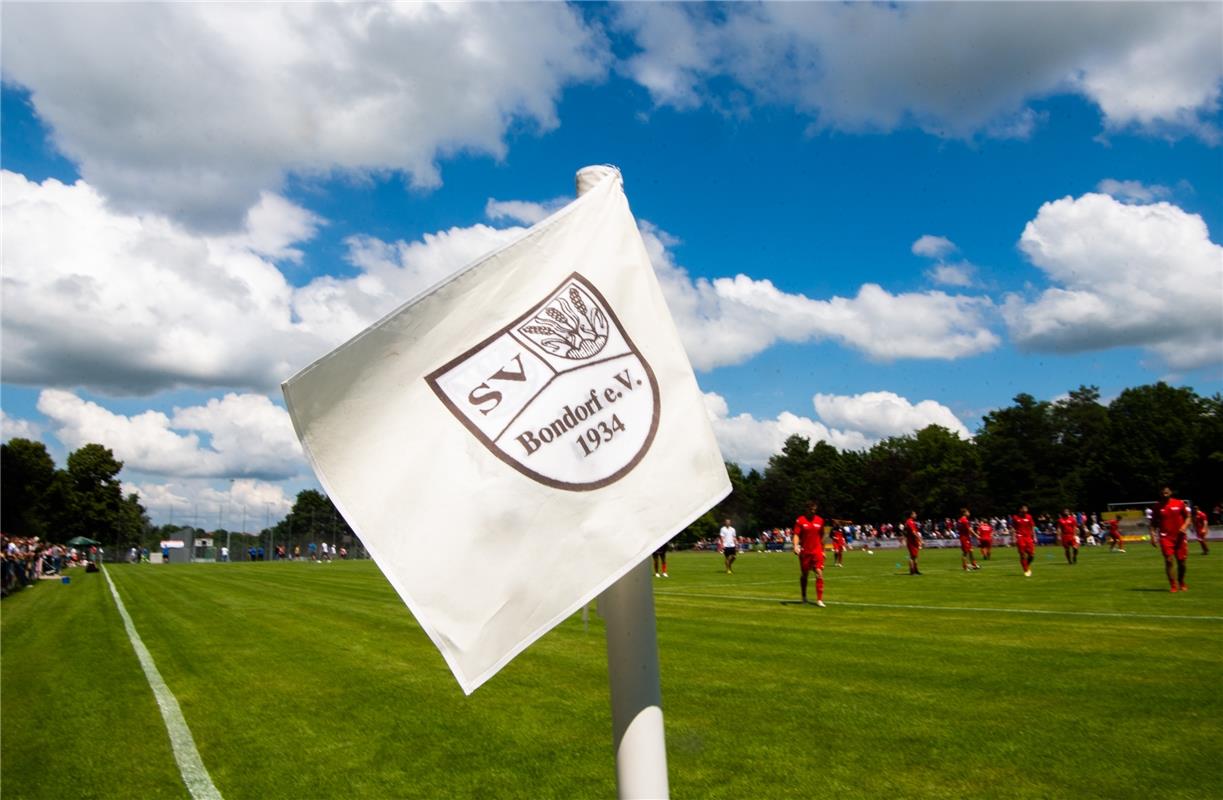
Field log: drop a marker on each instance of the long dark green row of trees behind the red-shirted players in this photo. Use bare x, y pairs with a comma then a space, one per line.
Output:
1074, 452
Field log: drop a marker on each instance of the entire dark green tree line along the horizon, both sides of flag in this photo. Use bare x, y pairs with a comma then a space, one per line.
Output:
1073, 453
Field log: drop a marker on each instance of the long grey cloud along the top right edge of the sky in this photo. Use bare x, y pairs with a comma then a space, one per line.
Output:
952, 69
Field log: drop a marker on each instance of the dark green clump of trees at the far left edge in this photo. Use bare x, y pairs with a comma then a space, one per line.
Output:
84, 500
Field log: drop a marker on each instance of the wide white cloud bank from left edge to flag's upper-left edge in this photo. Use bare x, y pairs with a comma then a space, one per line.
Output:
135, 304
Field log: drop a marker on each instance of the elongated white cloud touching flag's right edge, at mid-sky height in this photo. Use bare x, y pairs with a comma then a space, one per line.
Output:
731, 320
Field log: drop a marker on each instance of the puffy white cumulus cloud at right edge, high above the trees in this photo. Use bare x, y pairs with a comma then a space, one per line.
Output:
1123, 276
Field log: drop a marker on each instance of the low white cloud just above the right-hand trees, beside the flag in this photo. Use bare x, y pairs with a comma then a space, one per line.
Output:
848, 423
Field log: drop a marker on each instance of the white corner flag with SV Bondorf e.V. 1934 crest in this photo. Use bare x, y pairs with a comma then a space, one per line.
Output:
511, 443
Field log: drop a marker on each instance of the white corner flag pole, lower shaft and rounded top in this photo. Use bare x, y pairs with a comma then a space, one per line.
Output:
628, 610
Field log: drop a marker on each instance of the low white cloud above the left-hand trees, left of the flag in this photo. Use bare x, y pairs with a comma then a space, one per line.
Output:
248, 436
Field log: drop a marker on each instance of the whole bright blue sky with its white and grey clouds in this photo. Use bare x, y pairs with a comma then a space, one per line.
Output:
865, 218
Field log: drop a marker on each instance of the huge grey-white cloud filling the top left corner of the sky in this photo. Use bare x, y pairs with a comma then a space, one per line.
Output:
195, 109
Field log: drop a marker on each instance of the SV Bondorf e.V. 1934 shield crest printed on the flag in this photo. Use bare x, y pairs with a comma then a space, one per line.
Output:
561, 394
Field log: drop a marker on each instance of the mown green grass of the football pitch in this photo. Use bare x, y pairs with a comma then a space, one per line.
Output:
306, 681
